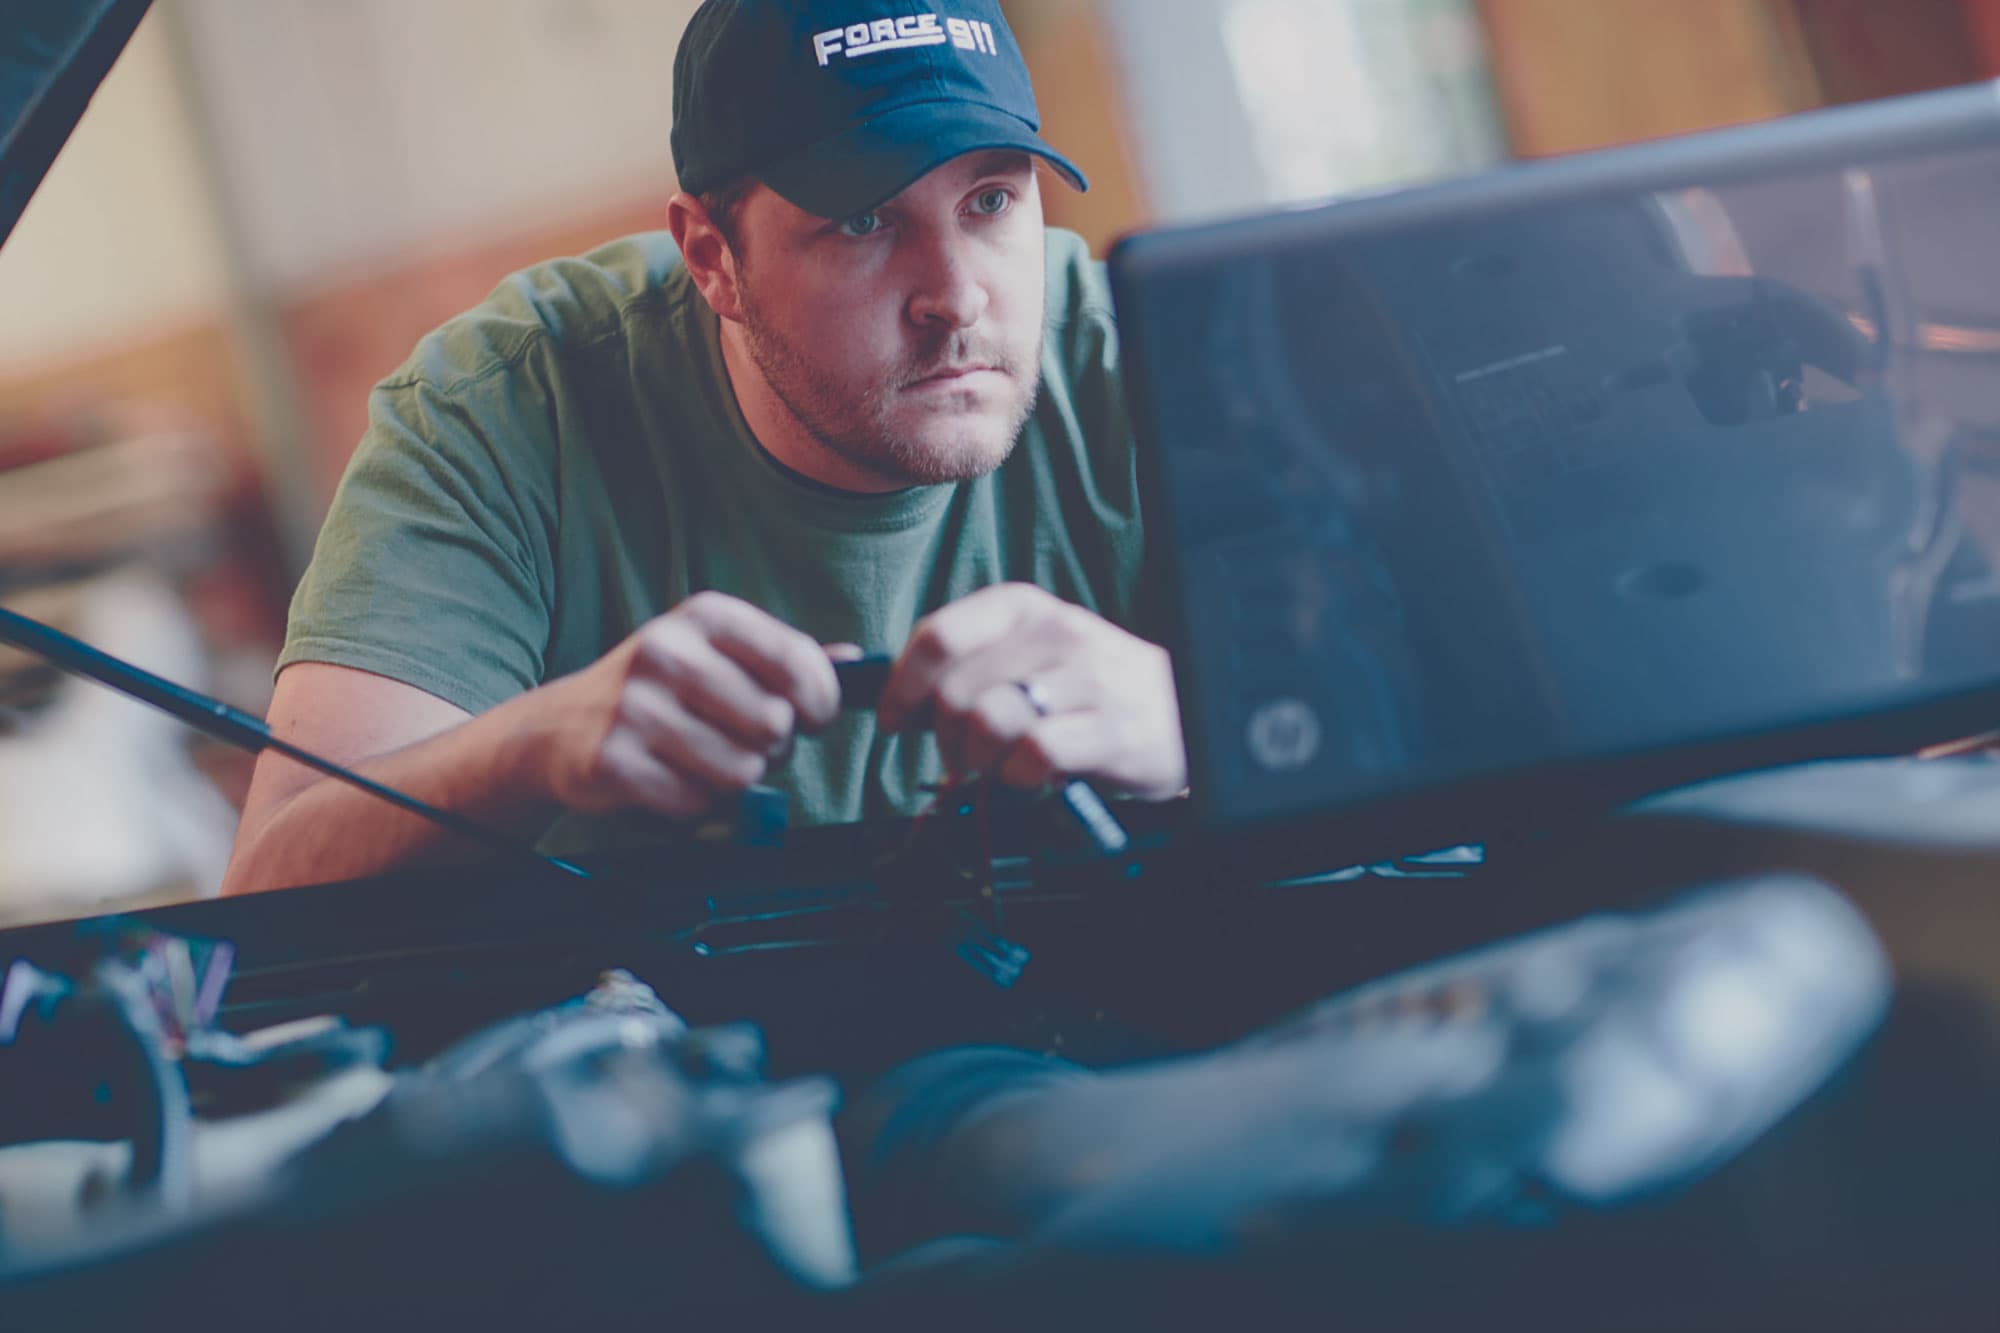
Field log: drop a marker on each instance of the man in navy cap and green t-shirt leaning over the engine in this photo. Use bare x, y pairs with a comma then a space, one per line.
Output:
601, 527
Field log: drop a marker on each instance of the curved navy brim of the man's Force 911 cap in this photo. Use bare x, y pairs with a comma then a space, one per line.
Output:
875, 161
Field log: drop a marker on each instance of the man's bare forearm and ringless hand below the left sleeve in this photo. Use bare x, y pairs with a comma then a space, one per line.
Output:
695, 704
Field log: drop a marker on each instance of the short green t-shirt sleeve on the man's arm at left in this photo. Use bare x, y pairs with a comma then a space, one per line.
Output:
435, 563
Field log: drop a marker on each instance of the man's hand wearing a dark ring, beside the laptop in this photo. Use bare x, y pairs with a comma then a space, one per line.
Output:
1027, 688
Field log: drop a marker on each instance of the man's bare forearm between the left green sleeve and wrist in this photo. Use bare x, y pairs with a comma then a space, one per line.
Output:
487, 770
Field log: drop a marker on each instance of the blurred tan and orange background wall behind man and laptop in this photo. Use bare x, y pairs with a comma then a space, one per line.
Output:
273, 199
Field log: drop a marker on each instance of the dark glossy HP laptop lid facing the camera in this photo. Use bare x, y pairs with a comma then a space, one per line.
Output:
1633, 455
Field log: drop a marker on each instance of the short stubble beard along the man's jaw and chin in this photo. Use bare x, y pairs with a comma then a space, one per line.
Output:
859, 425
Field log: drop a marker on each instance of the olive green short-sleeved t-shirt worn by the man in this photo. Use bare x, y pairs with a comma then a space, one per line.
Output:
567, 461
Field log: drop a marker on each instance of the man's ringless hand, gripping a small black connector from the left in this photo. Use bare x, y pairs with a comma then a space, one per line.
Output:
693, 706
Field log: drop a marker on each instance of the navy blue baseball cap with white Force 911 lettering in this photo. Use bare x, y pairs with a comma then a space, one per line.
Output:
839, 105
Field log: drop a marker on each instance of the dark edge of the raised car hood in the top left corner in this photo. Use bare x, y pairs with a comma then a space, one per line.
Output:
53, 57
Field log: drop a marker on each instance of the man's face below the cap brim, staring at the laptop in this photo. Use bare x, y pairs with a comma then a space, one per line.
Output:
907, 341
